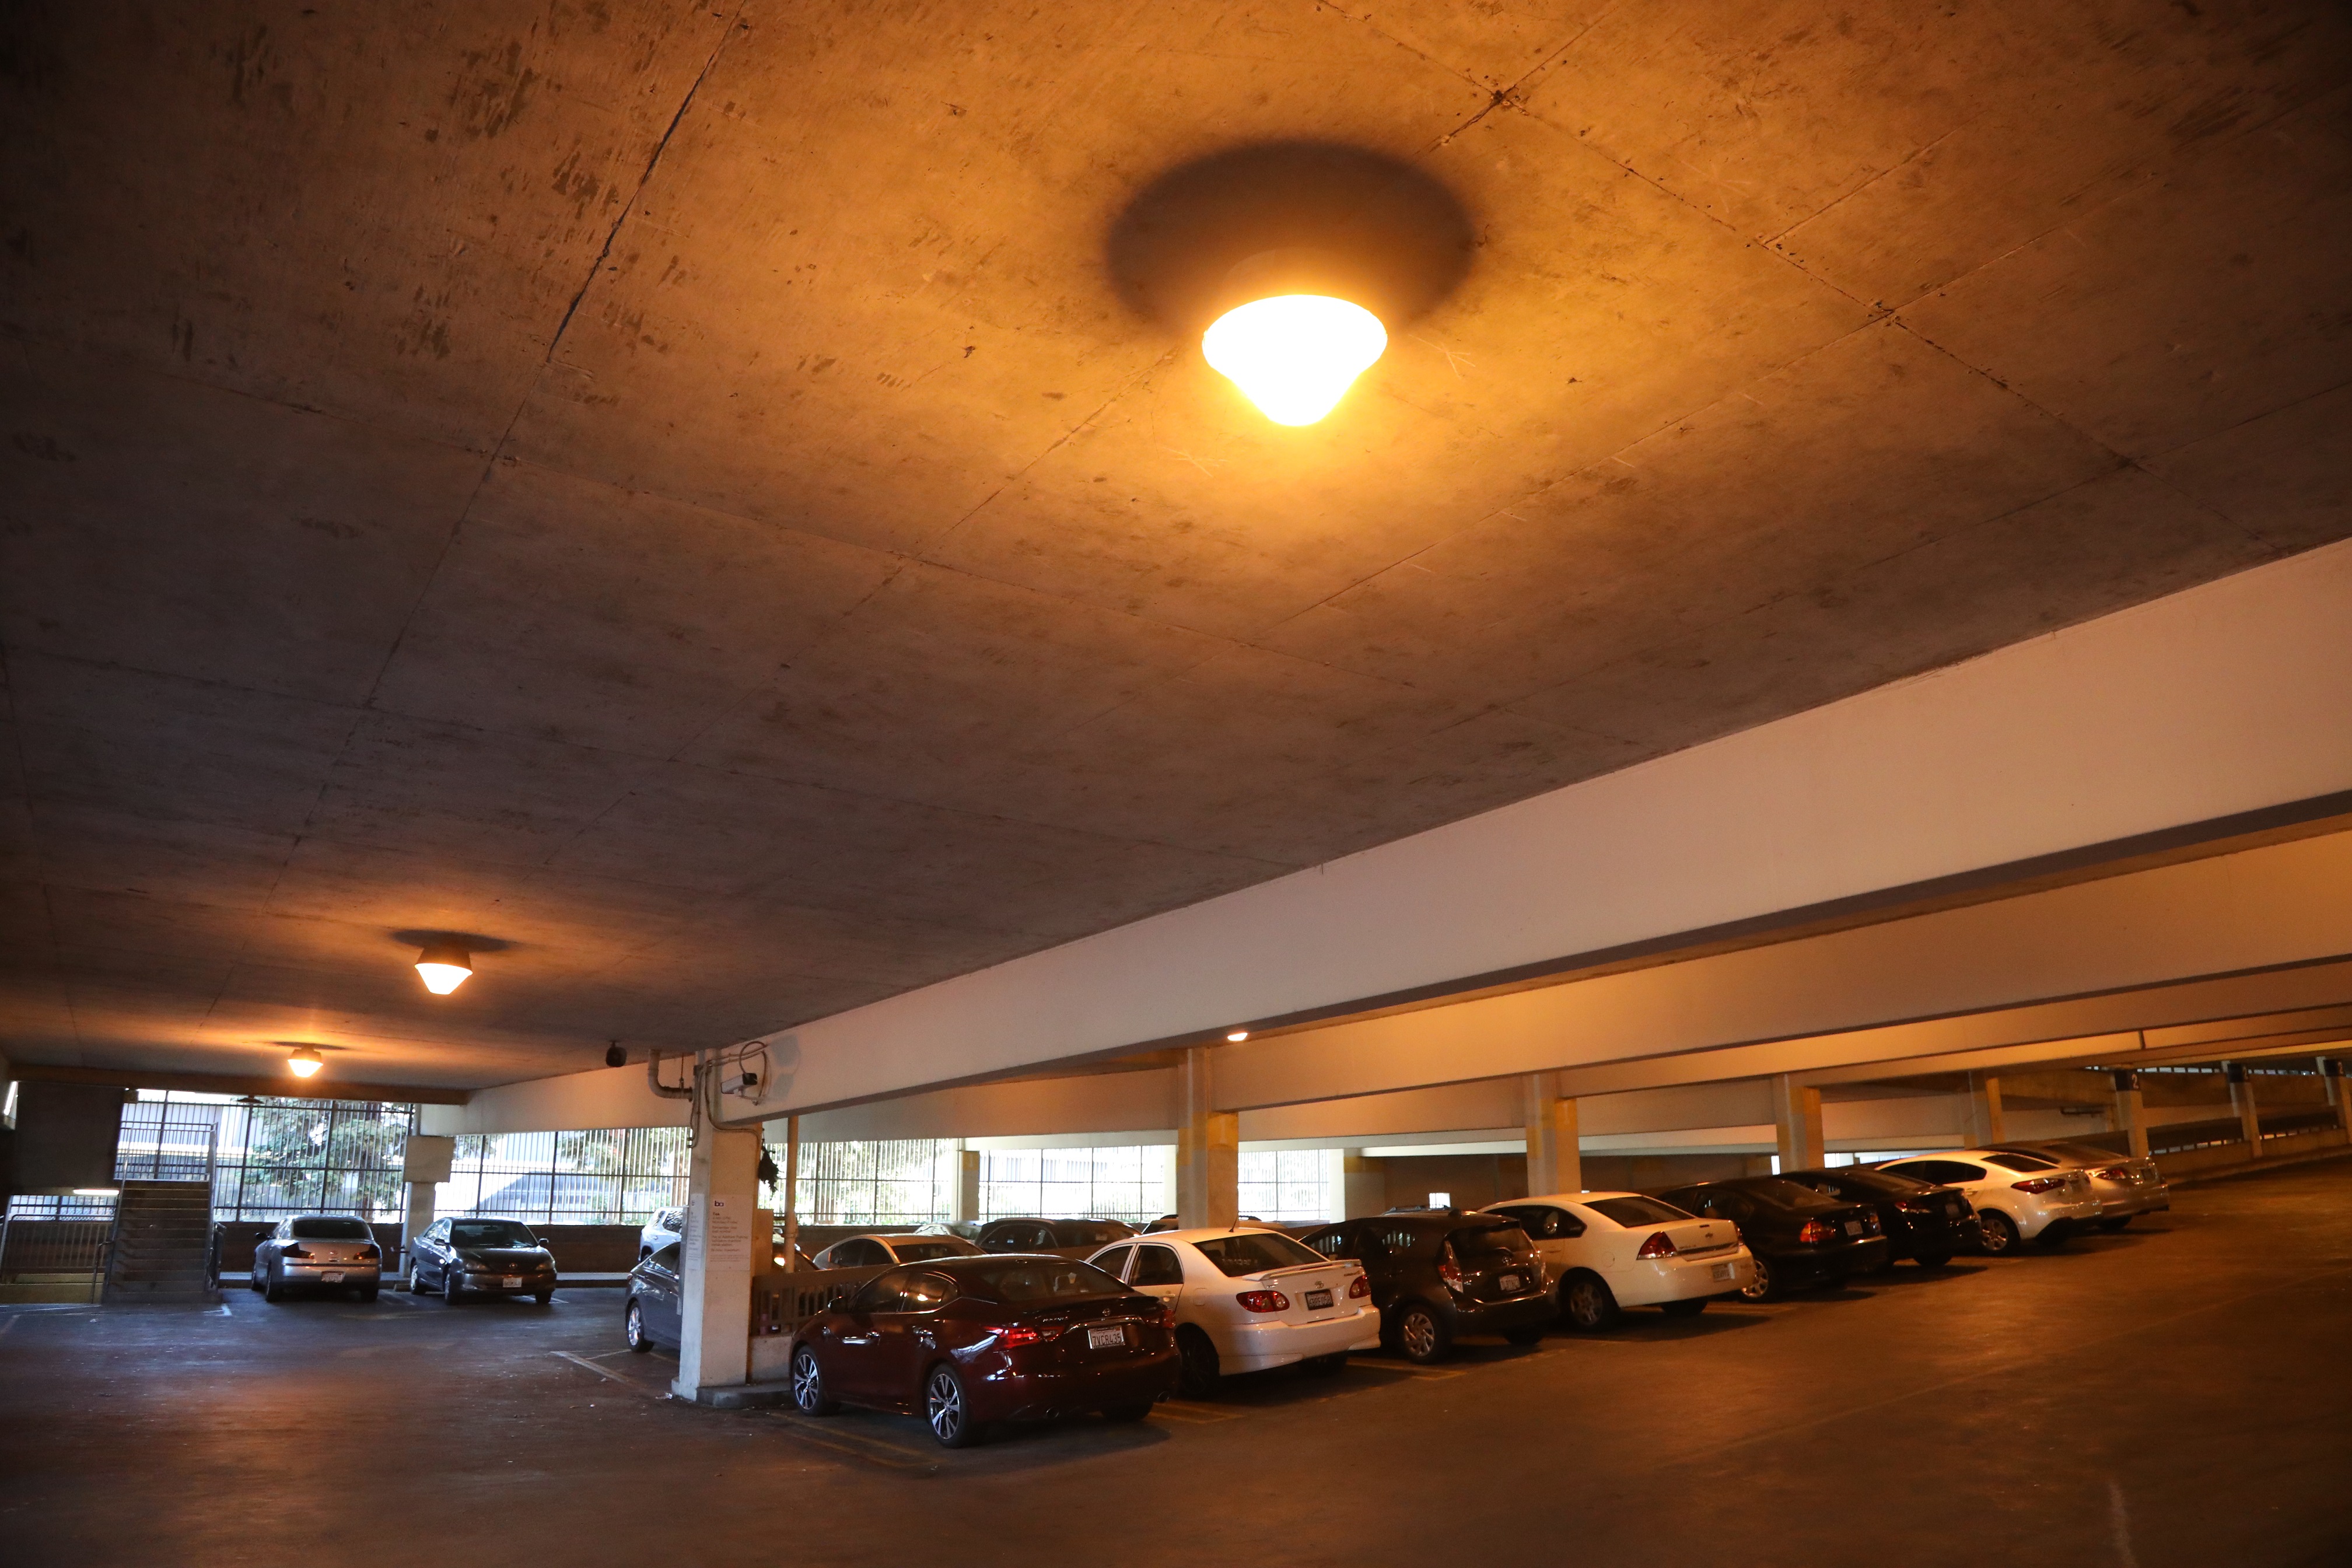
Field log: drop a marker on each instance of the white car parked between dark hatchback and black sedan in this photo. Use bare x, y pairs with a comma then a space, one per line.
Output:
1622, 1249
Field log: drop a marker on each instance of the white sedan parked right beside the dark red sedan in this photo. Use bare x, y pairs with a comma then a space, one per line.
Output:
1250, 1299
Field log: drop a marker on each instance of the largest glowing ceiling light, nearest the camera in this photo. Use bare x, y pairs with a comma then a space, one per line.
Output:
1295, 347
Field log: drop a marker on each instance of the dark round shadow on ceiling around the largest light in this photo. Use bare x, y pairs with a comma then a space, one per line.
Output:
1403, 236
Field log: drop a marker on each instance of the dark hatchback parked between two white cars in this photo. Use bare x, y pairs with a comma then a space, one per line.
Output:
1443, 1273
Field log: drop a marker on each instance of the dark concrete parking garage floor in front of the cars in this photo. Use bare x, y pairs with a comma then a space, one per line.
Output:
2177, 1395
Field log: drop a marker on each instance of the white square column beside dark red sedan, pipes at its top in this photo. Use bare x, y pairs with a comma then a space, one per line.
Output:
723, 1195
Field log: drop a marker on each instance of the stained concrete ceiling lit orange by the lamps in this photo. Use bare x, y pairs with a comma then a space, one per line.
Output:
681, 495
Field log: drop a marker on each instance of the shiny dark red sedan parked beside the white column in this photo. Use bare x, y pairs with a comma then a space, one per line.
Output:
970, 1341
